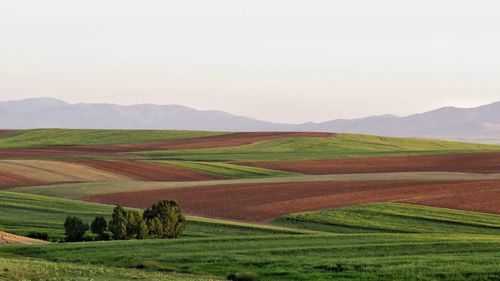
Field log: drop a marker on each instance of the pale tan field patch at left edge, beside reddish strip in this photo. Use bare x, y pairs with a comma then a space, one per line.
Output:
56, 171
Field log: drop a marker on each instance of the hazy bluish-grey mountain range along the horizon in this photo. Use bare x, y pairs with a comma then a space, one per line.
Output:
479, 124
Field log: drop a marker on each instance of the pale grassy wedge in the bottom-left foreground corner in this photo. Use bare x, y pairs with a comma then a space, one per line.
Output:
33, 269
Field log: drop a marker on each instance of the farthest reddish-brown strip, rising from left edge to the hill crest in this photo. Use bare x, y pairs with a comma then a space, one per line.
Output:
233, 139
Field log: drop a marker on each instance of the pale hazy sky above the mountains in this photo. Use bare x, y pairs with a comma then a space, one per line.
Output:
280, 60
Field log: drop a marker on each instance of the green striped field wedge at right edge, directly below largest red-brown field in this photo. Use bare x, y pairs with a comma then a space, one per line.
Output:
394, 217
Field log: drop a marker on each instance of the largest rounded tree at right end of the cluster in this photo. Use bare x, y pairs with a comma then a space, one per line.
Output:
168, 212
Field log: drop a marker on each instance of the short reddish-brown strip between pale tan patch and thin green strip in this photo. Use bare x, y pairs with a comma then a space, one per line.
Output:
147, 171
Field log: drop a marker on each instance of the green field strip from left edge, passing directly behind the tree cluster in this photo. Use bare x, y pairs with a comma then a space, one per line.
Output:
23, 213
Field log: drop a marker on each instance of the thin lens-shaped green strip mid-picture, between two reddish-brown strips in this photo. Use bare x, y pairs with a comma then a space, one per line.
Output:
227, 170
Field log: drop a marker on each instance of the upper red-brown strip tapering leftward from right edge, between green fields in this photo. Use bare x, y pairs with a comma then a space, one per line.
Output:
460, 162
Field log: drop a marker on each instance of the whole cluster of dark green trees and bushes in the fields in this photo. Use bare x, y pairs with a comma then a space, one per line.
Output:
163, 220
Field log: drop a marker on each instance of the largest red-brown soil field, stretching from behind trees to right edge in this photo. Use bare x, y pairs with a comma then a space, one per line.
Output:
263, 202
